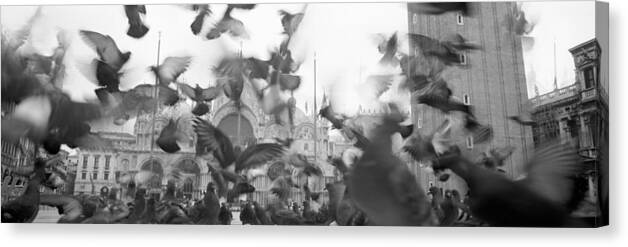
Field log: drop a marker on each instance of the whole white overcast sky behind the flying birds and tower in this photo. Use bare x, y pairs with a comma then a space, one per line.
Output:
339, 35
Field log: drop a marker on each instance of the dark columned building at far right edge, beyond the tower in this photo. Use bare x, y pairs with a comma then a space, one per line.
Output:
578, 116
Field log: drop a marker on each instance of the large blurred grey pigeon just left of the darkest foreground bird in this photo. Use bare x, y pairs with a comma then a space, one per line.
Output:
383, 187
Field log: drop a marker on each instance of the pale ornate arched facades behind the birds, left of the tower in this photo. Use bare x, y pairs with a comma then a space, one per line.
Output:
131, 153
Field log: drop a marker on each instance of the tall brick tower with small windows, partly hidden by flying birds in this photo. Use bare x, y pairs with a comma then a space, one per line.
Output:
491, 79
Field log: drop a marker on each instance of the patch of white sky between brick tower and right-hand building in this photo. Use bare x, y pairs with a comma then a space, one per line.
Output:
568, 23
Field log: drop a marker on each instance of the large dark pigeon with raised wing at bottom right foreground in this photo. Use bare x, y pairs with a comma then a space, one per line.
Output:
540, 196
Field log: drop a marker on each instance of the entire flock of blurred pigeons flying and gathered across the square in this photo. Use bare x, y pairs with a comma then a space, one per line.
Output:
376, 187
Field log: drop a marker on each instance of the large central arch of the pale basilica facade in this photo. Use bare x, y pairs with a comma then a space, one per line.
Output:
229, 126
